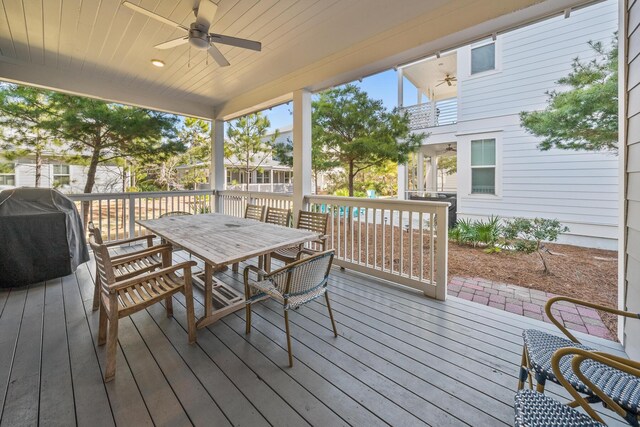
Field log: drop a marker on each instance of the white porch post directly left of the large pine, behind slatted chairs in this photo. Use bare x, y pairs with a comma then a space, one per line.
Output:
301, 149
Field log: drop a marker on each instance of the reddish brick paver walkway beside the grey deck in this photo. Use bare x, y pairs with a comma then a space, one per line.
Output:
527, 302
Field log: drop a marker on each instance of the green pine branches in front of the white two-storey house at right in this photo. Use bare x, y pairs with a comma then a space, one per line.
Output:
584, 117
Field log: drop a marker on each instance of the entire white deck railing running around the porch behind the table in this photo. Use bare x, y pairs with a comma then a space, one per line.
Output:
397, 240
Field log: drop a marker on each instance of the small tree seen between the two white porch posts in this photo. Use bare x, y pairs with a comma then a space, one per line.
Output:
247, 147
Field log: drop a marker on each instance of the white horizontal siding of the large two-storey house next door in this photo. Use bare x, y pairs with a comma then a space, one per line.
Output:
578, 188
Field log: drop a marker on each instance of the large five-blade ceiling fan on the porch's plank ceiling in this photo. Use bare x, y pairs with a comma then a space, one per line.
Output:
198, 35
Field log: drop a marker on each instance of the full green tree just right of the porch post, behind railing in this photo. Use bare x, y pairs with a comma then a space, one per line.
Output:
358, 132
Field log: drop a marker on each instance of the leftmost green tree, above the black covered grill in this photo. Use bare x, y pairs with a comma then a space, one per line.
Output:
26, 112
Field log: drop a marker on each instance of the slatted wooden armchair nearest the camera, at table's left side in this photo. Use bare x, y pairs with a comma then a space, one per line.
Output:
121, 298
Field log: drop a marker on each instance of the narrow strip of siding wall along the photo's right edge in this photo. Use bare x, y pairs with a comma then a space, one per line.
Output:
631, 251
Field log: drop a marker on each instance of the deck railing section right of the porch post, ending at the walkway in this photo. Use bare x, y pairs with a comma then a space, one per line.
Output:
402, 241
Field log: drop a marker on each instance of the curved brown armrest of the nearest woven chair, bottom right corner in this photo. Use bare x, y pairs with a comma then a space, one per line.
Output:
579, 356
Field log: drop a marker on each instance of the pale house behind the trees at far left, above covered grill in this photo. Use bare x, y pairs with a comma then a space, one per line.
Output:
65, 177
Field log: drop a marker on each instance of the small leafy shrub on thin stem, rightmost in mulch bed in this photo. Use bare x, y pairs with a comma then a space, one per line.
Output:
527, 235
